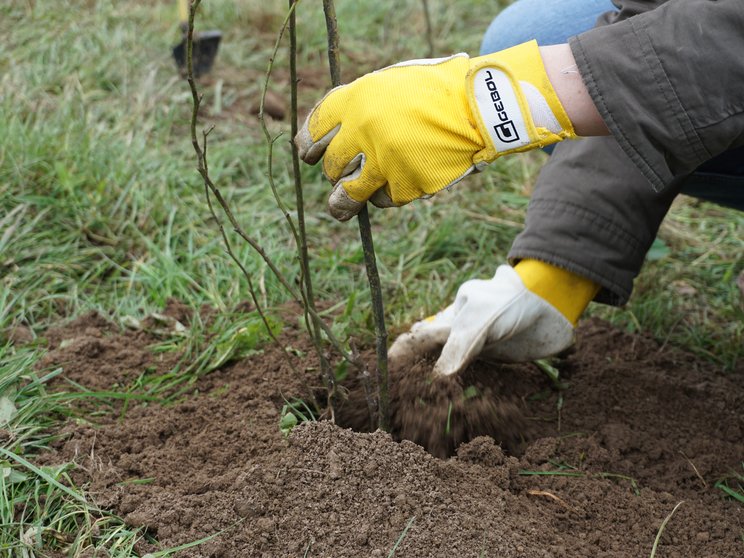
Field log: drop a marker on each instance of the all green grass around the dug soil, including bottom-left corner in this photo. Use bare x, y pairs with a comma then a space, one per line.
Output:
101, 209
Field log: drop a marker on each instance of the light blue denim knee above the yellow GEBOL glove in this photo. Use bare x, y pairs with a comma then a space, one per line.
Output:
547, 21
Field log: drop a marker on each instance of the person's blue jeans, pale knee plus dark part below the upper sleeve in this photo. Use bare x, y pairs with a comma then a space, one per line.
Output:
551, 22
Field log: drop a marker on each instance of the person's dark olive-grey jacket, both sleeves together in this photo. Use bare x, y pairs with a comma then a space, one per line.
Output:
668, 78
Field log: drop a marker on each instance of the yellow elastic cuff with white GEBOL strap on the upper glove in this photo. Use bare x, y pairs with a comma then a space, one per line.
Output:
514, 103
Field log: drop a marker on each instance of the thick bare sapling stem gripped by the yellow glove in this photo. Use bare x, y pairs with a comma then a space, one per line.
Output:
365, 232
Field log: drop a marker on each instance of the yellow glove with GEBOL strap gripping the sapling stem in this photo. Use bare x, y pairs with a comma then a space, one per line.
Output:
411, 129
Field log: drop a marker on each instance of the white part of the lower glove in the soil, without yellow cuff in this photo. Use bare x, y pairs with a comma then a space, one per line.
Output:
497, 318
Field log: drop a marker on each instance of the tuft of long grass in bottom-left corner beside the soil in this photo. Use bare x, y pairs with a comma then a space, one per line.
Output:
38, 507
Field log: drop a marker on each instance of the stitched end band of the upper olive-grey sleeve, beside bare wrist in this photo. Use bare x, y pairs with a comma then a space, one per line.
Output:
637, 100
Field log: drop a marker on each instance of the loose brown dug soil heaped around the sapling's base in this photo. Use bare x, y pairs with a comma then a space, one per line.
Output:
641, 428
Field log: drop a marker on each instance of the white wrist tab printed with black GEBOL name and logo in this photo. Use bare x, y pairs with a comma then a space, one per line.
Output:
500, 110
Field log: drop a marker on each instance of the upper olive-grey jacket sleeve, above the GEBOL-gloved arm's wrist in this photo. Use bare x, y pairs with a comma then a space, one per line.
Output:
668, 80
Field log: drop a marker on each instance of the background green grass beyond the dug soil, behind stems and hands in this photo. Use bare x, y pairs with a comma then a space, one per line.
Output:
100, 194
